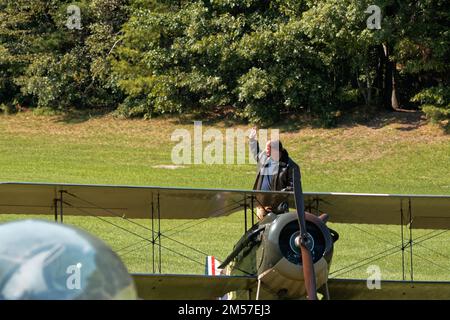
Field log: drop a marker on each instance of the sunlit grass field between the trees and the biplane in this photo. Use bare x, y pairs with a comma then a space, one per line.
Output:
392, 153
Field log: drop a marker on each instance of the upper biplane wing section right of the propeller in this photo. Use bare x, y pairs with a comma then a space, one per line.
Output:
424, 211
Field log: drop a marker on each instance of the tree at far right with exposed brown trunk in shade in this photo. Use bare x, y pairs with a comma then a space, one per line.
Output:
413, 40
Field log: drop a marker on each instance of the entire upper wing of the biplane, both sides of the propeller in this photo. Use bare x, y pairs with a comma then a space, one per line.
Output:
425, 211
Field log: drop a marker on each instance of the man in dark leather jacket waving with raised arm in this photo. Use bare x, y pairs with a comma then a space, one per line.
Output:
274, 172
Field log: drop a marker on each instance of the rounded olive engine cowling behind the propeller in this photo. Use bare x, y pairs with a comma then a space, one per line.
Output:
280, 266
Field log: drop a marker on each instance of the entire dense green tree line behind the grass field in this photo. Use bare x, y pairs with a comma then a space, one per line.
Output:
261, 59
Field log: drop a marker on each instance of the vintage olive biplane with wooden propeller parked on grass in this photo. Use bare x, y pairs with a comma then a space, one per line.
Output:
284, 256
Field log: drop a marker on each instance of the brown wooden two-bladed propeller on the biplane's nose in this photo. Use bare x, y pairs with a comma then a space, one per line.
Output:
302, 240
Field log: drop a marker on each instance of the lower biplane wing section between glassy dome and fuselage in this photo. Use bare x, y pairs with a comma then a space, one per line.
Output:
191, 287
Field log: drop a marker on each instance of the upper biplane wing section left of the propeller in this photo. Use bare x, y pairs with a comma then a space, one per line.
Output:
131, 202
